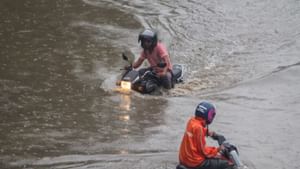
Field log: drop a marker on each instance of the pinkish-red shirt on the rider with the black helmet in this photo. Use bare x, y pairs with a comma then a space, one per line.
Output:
158, 54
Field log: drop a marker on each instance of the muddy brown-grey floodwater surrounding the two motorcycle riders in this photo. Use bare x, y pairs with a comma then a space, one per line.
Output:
60, 60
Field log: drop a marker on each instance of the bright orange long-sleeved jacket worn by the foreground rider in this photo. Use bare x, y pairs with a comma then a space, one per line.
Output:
193, 150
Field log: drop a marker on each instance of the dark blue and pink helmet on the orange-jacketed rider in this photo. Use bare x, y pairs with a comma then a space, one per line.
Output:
206, 110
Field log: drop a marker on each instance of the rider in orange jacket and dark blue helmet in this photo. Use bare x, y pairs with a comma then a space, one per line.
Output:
194, 153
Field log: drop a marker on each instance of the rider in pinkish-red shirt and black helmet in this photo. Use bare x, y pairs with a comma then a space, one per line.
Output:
155, 52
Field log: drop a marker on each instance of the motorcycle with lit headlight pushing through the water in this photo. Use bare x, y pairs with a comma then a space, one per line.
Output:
146, 80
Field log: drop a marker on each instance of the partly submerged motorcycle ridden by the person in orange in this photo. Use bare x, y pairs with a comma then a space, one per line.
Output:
229, 153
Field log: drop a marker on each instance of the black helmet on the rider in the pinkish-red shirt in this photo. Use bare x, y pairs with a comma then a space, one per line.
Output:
148, 39
